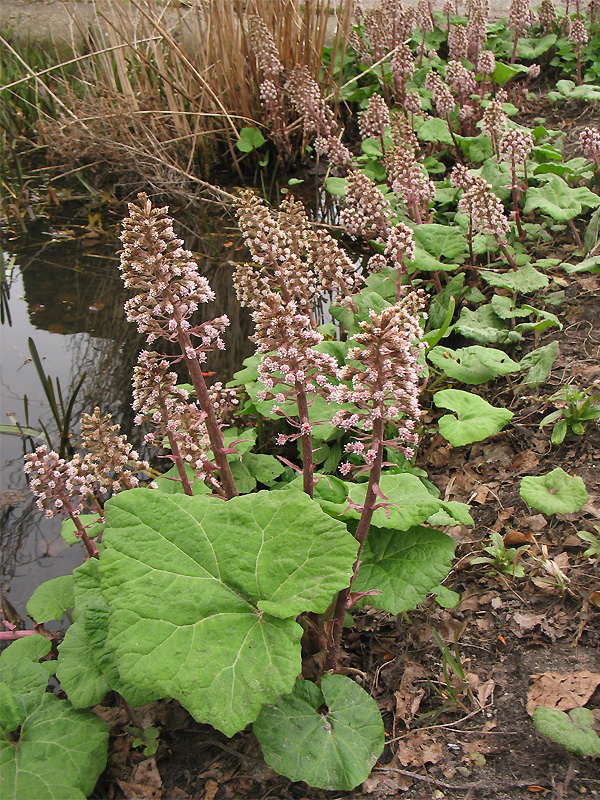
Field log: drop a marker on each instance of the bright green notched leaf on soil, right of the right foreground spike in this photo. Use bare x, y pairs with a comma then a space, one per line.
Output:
475, 418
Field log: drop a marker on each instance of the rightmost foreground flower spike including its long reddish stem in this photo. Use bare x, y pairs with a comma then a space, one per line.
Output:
381, 380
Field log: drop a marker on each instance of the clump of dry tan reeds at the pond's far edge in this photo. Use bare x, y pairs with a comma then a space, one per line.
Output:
168, 88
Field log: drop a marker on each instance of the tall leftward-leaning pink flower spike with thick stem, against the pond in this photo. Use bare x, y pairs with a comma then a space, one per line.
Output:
169, 290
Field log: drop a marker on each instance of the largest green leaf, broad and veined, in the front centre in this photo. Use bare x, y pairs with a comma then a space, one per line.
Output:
204, 594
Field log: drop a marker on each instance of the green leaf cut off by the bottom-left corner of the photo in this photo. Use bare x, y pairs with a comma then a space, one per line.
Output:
59, 755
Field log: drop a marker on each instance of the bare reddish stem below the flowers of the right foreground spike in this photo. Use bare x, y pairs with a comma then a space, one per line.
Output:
343, 600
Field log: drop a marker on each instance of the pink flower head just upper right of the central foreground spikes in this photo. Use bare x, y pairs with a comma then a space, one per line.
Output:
367, 213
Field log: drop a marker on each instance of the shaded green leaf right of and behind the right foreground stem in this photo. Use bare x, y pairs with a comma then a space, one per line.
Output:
404, 566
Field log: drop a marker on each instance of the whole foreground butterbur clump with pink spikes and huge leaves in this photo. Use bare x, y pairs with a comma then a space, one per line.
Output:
200, 581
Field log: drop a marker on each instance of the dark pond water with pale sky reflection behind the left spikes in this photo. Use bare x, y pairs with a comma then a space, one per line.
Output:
66, 294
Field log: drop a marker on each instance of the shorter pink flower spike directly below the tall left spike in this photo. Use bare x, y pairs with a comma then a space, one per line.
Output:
159, 402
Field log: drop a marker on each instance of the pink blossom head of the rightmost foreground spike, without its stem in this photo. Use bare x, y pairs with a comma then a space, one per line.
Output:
381, 379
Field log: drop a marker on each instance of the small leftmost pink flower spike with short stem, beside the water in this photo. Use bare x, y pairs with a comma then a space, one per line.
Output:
60, 487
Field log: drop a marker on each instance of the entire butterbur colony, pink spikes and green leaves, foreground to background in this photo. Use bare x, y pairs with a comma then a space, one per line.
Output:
218, 582
